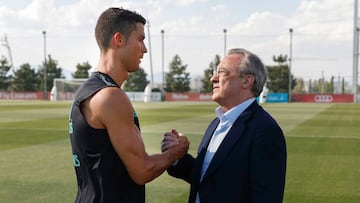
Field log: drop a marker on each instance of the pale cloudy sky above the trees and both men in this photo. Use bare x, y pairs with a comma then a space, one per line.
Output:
322, 37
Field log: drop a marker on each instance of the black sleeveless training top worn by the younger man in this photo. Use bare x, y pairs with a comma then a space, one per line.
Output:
101, 175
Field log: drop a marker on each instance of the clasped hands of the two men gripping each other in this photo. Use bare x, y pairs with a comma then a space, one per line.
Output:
174, 143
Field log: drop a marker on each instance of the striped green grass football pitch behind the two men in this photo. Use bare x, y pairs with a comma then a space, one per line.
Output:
323, 145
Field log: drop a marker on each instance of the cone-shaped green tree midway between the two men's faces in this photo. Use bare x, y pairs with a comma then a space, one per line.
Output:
177, 79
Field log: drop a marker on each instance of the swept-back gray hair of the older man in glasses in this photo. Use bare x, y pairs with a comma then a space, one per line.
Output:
251, 65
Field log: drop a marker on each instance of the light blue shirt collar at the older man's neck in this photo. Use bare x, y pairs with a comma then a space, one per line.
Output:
232, 114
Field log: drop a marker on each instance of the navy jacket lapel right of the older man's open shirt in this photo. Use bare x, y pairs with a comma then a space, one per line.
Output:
230, 139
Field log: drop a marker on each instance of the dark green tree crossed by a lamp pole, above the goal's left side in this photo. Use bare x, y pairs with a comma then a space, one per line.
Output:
52, 71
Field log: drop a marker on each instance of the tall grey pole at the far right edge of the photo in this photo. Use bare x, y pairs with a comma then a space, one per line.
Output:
355, 51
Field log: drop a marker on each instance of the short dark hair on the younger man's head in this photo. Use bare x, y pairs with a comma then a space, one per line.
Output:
115, 20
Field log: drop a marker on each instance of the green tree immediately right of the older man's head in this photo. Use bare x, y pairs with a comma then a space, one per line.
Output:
278, 75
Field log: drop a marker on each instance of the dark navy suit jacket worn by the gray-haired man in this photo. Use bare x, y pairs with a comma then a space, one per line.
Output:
249, 165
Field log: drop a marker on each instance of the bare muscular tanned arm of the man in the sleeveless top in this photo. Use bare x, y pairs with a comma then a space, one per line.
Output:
110, 108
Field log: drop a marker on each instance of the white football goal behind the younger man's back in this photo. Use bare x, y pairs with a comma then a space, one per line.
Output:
65, 89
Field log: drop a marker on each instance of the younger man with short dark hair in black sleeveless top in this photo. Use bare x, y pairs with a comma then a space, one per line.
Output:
109, 155
